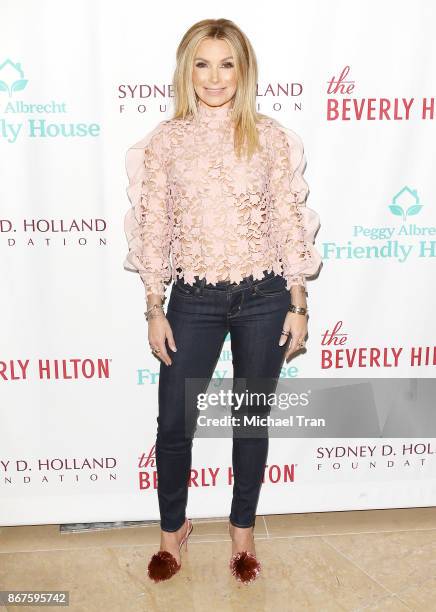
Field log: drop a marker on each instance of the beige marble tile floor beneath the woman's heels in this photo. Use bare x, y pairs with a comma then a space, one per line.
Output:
326, 561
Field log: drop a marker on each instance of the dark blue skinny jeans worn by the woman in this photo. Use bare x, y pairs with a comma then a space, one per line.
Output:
201, 315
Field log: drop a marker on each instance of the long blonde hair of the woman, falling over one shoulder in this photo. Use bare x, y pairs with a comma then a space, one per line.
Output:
244, 114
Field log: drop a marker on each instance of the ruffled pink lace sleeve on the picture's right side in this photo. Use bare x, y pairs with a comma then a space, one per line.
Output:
294, 223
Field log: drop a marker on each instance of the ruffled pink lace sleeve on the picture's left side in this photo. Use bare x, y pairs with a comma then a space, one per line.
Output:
146, 223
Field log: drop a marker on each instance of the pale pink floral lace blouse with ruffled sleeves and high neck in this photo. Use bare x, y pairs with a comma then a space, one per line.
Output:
196, 206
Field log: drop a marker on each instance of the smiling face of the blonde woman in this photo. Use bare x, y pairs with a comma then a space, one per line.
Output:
213, 74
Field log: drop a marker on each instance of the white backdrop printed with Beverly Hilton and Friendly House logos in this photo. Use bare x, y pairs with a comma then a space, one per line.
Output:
79, 83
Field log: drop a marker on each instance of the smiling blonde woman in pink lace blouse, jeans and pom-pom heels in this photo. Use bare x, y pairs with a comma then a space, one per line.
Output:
221, 188
